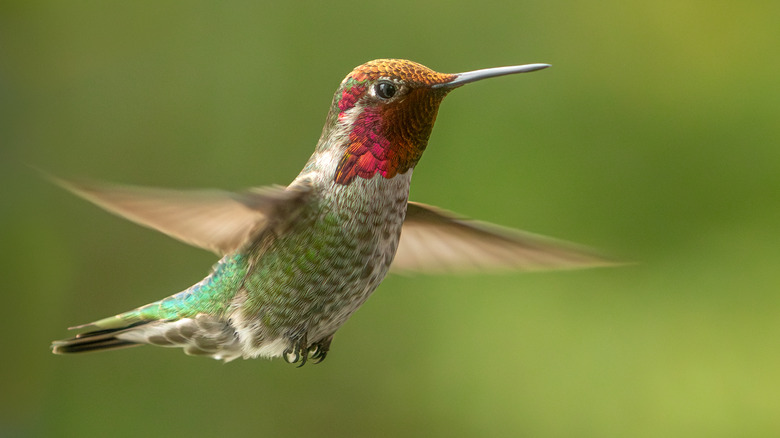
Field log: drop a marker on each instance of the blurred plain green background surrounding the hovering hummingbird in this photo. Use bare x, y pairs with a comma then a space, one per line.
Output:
654, 137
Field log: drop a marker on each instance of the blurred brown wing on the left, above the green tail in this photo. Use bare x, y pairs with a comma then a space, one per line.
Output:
216, 220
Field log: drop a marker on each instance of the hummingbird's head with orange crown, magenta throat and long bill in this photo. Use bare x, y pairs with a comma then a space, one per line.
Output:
384, 112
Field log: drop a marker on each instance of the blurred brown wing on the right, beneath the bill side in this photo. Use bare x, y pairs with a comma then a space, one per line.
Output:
435, 241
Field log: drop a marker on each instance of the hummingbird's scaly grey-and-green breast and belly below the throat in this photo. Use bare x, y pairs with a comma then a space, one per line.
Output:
327, 262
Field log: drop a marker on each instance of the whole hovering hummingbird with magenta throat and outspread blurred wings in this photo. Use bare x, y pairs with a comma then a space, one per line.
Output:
298, 261
